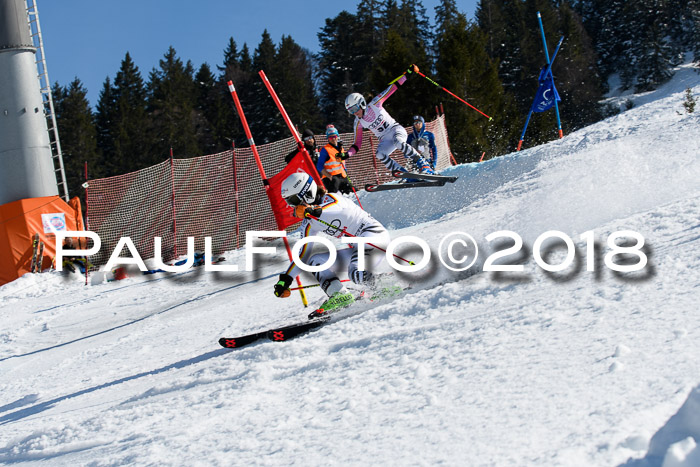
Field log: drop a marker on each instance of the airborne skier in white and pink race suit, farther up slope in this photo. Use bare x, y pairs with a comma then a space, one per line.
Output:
391, 134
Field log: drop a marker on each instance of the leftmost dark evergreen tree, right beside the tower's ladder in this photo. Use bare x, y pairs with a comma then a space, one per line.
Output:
76, 125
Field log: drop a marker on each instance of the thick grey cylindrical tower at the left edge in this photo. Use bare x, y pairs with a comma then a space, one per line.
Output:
26, 165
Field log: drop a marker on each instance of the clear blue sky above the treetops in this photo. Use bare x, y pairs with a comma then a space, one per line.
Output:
88, 39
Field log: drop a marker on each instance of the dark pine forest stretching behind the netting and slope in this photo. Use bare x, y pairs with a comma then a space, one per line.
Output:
492, 61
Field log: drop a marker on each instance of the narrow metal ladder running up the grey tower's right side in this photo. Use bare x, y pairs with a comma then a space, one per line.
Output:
45, 85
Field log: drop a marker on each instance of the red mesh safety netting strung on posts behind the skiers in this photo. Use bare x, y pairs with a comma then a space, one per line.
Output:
220, 196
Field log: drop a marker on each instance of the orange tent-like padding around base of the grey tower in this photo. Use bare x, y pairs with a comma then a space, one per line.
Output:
20, 220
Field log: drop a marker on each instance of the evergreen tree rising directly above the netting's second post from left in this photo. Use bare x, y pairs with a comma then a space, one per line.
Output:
171, 103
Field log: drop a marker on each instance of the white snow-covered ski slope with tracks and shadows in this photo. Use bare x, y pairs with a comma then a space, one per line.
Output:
571, 368
